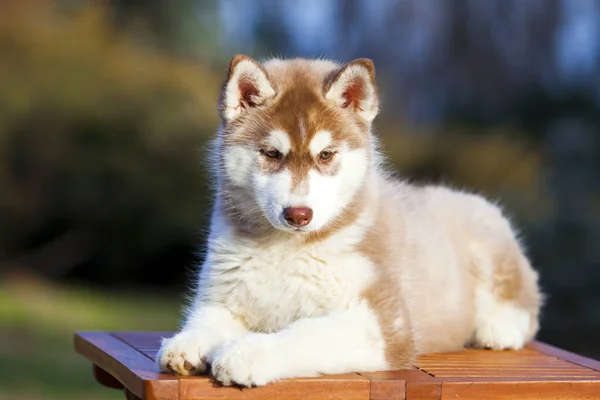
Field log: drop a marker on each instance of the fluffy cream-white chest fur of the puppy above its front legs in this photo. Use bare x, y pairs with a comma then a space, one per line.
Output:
271, 288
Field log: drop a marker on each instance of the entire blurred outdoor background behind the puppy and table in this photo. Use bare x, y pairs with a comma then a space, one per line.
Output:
106, 108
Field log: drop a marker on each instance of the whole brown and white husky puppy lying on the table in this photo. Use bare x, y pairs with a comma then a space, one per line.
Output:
319, 261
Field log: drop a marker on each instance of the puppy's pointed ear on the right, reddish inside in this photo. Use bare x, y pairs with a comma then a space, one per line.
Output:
353, 87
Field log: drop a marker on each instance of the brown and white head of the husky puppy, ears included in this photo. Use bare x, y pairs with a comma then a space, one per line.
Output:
295, 142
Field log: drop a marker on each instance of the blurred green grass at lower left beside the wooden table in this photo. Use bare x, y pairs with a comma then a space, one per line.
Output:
37, 322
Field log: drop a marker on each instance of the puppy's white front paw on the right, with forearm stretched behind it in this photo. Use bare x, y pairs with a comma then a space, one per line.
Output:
245, 362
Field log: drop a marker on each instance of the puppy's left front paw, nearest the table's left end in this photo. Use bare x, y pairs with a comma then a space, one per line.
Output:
185, 354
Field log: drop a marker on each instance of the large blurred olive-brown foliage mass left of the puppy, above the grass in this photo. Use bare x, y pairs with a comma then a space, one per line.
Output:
97, 134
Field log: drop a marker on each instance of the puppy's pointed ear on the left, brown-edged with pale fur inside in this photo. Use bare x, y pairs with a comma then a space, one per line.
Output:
247, 85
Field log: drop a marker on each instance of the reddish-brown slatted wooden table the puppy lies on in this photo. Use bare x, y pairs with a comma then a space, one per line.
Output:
125, 360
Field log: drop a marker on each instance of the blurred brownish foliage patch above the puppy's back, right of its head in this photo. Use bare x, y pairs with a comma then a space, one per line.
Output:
509, 165
